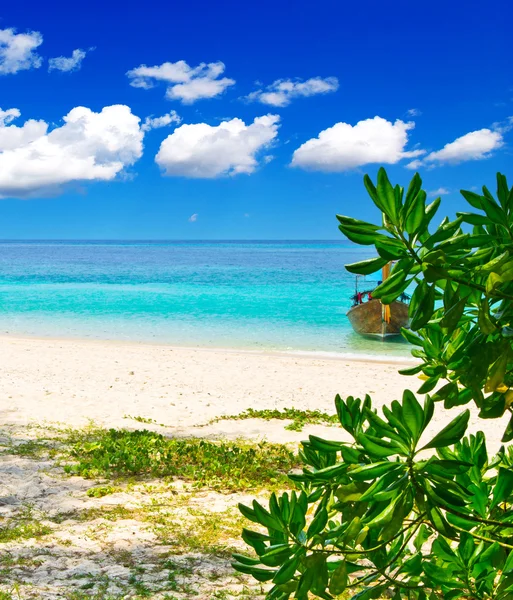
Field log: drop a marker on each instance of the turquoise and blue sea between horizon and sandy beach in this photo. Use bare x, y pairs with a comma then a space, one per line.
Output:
281, 296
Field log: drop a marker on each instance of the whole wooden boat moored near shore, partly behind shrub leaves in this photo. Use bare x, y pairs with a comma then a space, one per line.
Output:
370, 317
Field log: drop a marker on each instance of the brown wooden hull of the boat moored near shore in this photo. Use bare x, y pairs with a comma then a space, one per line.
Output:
367, 318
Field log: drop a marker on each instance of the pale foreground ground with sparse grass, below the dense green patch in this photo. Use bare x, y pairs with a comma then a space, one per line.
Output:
67, 537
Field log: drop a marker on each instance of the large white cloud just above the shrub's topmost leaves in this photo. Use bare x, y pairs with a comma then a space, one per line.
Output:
344, 147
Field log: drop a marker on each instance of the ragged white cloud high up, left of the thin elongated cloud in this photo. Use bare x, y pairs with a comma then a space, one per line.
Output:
185, 83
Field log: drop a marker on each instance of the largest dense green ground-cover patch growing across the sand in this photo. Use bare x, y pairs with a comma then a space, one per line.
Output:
219, 465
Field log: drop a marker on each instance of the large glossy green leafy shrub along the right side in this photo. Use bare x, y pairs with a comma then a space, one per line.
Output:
397, 512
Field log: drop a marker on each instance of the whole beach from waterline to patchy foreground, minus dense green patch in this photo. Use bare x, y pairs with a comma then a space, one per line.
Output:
64, 533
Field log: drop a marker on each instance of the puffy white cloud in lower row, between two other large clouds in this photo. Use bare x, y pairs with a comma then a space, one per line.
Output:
204, 151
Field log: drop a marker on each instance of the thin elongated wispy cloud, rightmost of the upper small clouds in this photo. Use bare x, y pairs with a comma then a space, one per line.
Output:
283, 91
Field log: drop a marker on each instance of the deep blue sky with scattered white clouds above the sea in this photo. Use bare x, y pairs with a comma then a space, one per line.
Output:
244, 120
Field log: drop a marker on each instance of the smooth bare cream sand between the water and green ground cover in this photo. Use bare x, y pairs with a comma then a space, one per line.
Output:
73, 382
